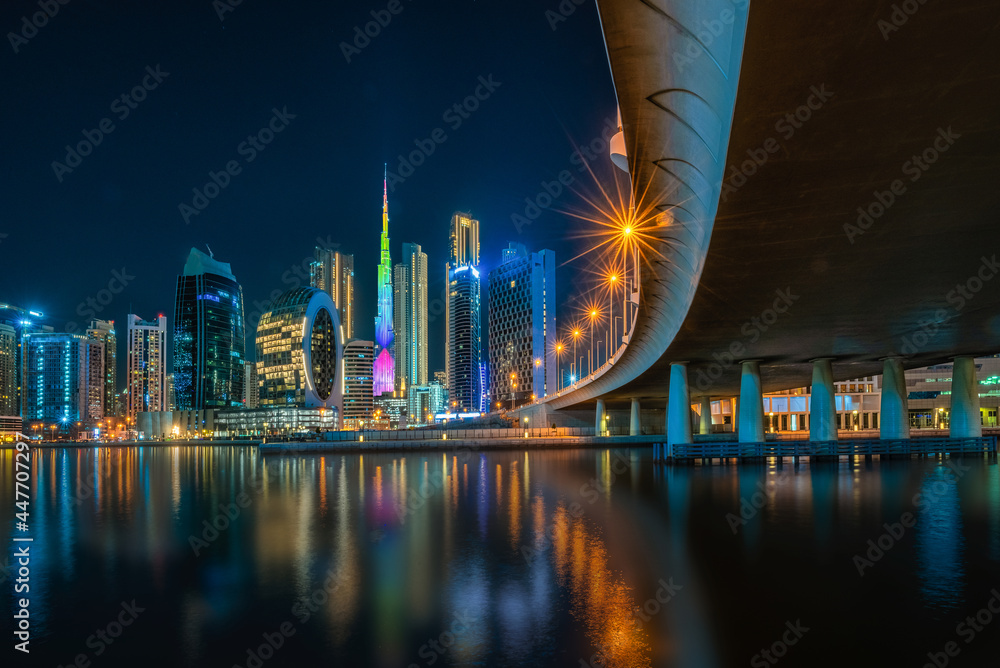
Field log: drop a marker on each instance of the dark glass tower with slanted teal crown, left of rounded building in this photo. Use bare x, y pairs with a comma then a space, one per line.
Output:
209, 343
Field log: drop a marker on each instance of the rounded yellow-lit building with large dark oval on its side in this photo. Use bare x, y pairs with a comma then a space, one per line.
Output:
299, 351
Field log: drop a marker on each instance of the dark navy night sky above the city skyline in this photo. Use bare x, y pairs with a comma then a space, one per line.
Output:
321, 176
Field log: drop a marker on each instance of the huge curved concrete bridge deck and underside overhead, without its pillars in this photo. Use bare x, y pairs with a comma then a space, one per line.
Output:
758, 132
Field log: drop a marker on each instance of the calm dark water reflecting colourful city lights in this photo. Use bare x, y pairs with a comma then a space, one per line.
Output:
501, 559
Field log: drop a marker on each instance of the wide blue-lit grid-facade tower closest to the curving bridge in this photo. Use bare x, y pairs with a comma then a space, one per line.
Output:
522, 326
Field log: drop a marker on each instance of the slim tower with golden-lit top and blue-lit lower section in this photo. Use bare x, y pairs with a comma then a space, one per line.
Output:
464, 336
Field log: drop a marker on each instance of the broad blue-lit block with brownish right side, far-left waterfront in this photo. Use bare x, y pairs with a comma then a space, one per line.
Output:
64, 377
